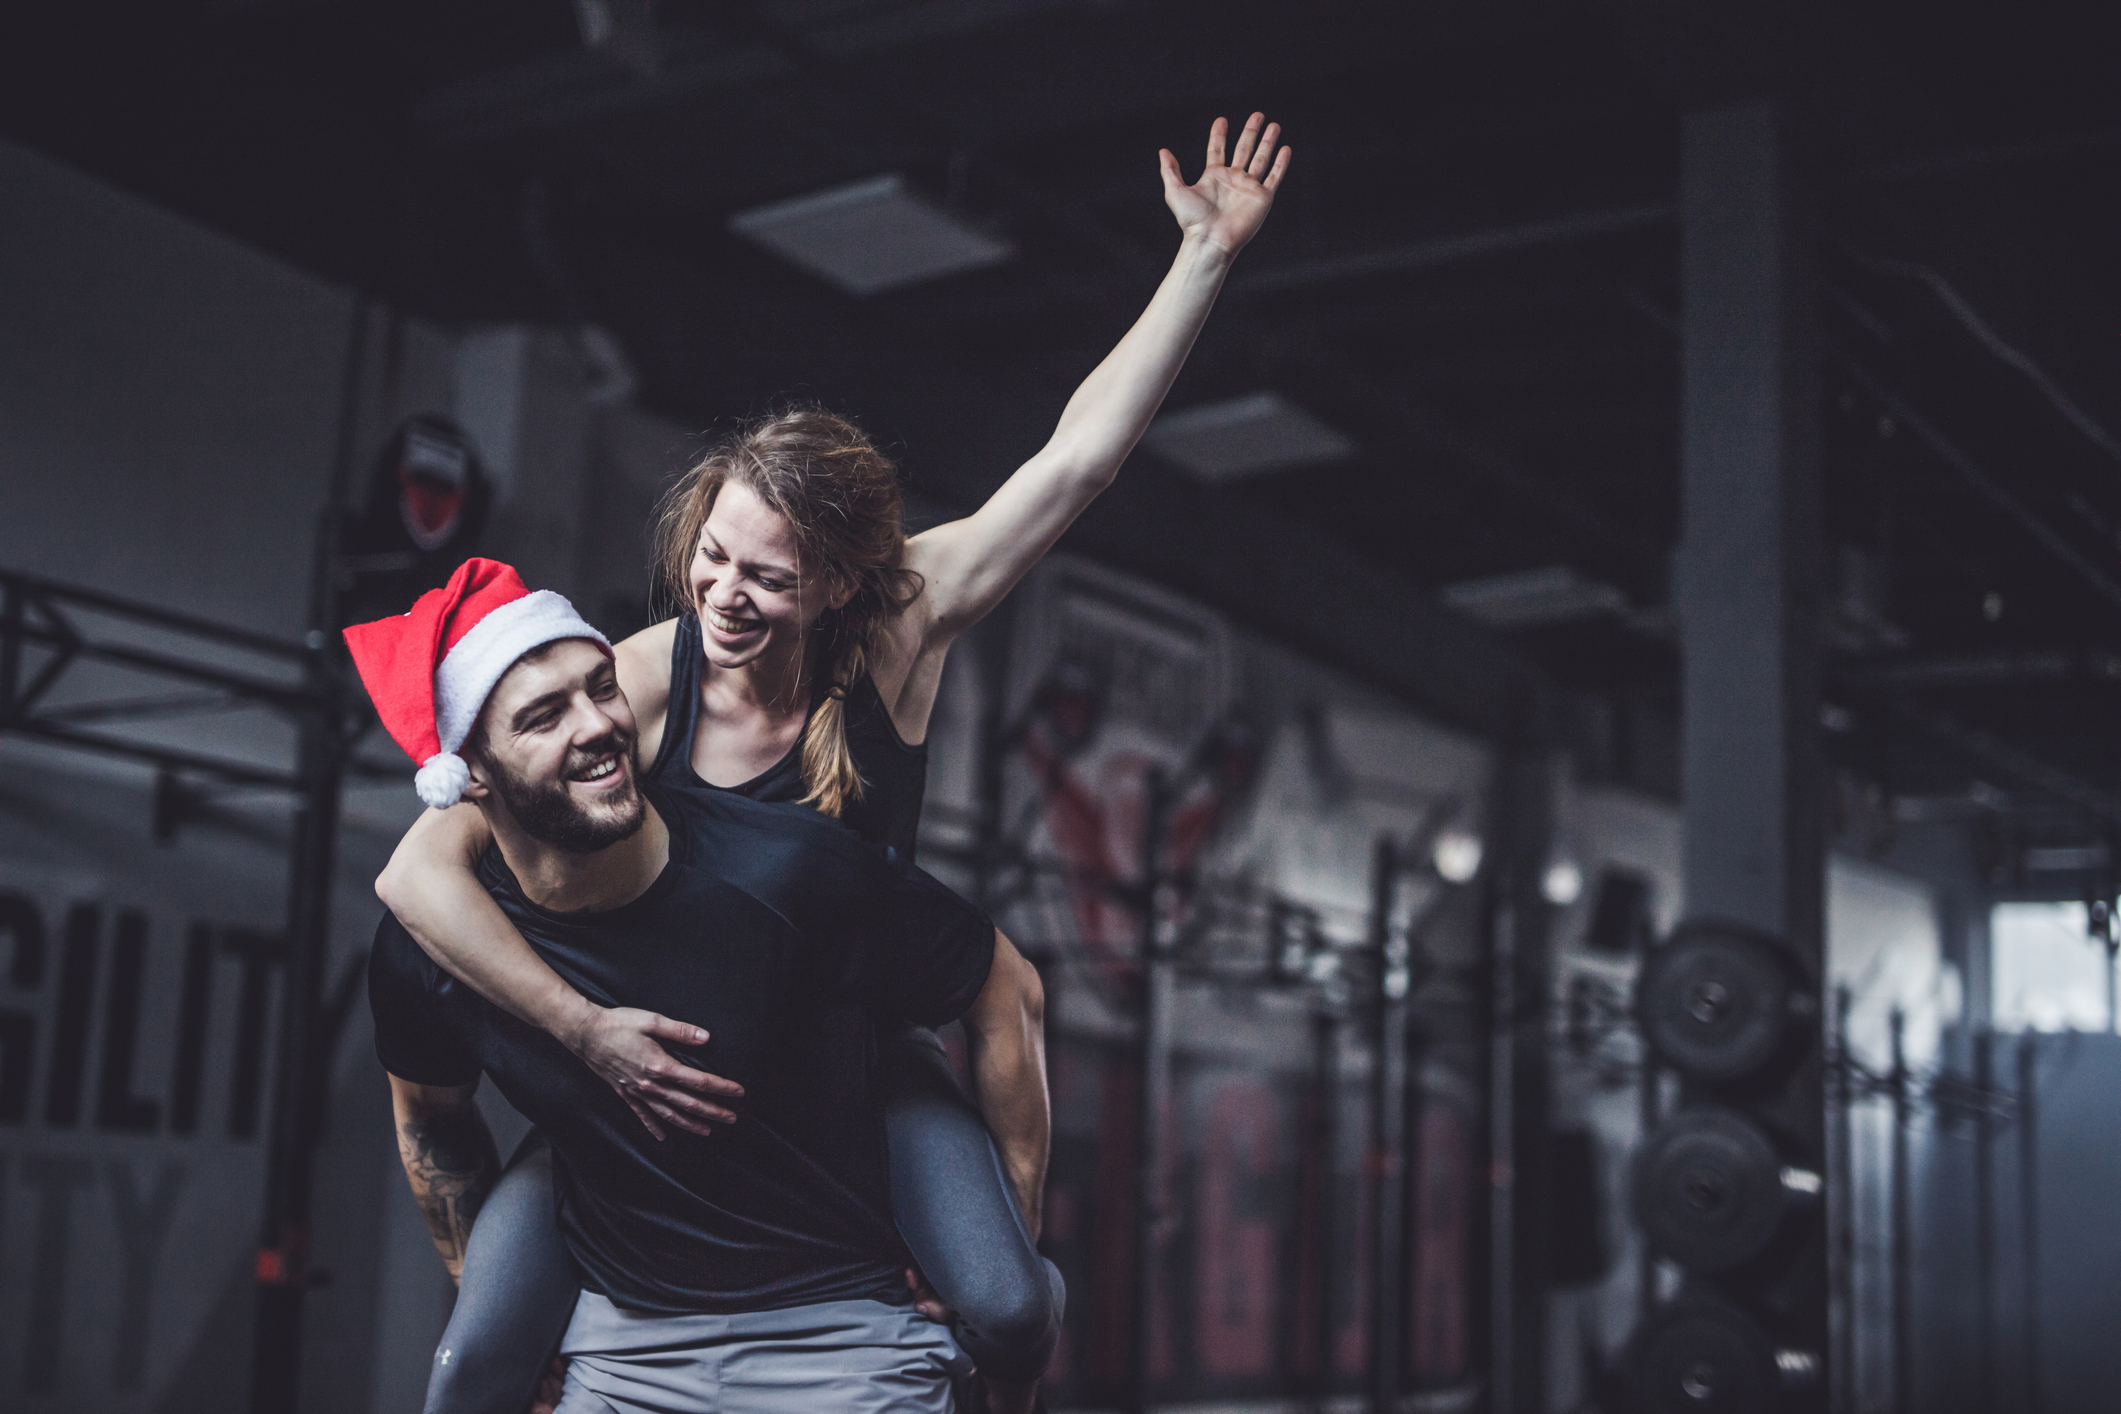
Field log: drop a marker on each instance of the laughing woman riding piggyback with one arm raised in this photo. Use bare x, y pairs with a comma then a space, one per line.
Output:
807, 669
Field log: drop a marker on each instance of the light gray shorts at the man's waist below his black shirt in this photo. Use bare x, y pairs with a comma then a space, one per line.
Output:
862, 1358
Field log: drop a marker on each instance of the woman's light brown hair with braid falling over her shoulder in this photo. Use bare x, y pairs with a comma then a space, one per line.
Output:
841, 497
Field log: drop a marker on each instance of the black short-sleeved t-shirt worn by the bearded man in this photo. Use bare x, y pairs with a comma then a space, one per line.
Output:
786, 938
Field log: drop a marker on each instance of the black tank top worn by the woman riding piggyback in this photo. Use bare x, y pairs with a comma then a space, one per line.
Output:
894, 775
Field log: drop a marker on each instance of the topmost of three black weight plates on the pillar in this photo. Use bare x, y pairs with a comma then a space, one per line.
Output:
1717, 1004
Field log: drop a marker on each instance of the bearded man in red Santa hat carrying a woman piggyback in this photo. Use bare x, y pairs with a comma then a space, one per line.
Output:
748, 1271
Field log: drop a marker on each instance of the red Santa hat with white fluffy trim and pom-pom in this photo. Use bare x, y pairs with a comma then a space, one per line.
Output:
430, 671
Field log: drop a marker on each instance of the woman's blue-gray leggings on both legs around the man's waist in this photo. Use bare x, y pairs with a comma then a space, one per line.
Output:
949, 1197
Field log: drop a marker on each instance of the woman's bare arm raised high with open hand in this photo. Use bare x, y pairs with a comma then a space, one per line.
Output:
972, 563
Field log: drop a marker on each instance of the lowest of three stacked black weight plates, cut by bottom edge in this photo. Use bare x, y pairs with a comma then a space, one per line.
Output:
1702, 1358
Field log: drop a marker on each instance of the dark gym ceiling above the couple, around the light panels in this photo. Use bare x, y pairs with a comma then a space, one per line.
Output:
1471, 277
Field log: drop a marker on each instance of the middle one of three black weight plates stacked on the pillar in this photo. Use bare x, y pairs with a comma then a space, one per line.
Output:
1708, 1190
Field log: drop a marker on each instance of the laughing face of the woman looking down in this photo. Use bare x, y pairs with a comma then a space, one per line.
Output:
748, 582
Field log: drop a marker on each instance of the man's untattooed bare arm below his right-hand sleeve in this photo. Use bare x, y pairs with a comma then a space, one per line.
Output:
1006, 1036
